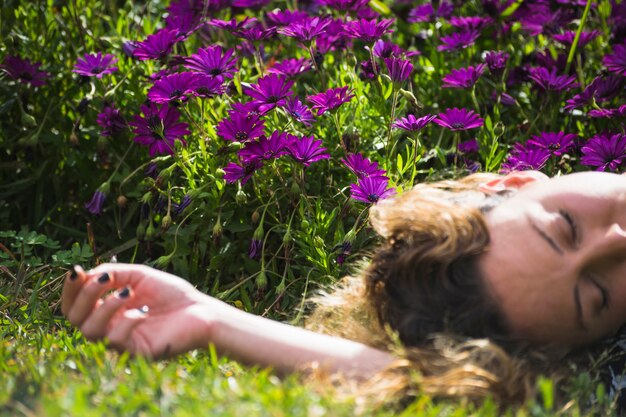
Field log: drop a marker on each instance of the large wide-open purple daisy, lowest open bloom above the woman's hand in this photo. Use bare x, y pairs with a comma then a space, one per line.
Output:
158, 128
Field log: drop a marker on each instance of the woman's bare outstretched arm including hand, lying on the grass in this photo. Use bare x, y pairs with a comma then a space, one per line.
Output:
156, 314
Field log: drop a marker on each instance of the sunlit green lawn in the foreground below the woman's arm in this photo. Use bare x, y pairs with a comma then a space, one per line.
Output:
48, 369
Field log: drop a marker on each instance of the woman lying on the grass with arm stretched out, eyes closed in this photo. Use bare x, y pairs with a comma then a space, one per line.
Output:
526, 262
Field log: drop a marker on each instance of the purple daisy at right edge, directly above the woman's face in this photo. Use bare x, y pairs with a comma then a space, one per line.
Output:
605, 151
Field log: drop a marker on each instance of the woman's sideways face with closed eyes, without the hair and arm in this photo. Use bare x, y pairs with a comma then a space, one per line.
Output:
556, 262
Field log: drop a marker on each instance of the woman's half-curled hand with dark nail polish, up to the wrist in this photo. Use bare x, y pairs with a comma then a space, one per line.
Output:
139, 309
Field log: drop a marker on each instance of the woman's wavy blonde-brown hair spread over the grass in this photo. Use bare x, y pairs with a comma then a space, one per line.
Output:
423, 290
